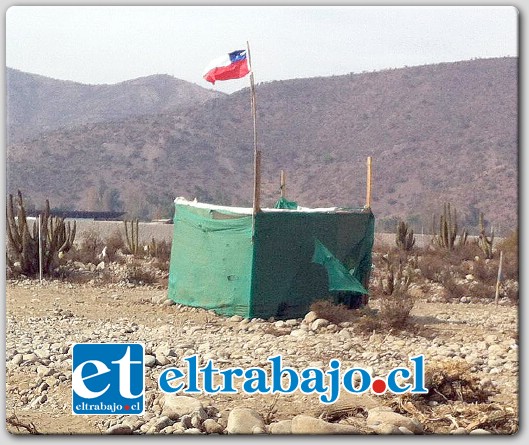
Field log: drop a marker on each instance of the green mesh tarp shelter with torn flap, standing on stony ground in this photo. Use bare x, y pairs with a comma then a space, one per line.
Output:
274, 265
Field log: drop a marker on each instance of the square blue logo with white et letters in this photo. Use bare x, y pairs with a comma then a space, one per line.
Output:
108, 378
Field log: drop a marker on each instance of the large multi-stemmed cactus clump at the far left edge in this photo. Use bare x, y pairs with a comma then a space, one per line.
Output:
23, 243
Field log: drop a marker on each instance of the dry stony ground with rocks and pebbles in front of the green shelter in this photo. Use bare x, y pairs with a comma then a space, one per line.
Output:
473, 346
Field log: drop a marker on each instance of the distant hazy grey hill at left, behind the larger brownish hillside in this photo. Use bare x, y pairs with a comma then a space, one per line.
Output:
36, 103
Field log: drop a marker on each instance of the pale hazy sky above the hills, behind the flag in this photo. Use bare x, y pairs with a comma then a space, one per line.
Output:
103, 44
